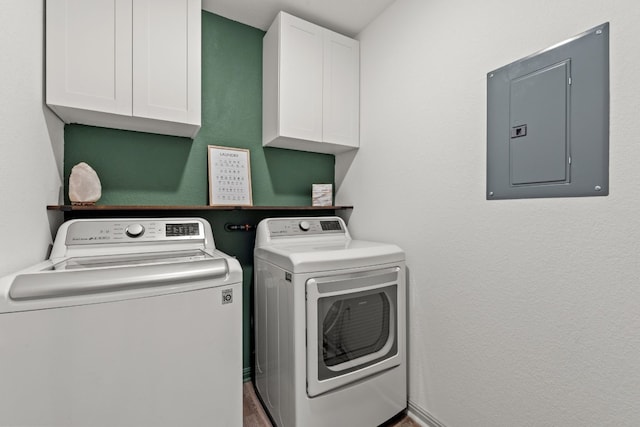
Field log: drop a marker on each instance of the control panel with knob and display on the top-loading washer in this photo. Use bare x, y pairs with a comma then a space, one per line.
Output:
99, 232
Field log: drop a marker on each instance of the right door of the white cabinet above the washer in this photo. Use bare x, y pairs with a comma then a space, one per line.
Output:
166, 60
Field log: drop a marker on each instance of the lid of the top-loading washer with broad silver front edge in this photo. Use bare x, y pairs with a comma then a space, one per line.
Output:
92, 280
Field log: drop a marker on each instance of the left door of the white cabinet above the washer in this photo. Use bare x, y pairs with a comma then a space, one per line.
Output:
89, 54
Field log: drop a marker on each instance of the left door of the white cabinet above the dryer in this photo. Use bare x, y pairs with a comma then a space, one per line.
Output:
300, 79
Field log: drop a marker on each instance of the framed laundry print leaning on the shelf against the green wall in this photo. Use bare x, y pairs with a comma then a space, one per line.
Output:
229, 176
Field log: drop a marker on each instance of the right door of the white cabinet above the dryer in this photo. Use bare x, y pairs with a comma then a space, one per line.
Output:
341, 90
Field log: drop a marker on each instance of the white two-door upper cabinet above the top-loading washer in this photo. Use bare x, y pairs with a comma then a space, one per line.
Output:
125, 64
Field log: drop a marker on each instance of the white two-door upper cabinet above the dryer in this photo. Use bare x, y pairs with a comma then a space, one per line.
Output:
310, 87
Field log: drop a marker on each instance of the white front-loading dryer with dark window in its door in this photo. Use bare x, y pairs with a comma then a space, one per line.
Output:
330, 325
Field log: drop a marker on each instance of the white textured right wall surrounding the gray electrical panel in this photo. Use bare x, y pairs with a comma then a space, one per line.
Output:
523, 312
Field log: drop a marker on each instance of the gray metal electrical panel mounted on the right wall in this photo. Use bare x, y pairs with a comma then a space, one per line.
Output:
548, 122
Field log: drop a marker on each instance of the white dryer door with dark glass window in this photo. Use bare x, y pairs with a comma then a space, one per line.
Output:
351, 326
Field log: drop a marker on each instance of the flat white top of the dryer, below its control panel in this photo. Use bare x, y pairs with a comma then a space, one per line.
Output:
326, 256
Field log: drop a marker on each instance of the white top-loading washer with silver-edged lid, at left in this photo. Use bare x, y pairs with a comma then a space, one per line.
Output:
131, 322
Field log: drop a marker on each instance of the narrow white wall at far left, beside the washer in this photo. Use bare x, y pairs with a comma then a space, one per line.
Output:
31, 146
